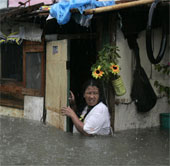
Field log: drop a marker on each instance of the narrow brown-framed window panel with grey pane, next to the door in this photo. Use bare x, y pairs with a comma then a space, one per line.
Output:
33, 70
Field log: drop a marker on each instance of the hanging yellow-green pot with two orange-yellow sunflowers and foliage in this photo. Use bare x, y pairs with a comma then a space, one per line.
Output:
107, 68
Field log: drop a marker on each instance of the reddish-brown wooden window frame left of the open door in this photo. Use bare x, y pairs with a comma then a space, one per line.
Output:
18, 89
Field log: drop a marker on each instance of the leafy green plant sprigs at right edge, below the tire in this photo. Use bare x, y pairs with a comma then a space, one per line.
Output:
165, 69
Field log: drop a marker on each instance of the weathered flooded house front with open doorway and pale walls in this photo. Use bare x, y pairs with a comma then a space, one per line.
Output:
48, 59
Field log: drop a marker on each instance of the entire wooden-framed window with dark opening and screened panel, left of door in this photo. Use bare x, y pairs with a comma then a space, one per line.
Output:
21, 73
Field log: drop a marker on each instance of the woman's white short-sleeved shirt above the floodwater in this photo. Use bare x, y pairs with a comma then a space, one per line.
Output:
97, 121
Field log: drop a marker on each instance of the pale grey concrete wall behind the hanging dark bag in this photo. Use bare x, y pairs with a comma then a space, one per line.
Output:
126, 115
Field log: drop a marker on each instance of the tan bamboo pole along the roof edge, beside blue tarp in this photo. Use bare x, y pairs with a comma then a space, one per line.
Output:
117, 7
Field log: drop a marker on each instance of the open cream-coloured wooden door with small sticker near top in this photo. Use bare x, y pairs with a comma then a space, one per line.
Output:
56, 83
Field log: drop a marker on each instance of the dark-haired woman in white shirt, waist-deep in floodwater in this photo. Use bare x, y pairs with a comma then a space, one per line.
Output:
95, 118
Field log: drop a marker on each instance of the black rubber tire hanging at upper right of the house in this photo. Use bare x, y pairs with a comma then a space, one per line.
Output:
149, 49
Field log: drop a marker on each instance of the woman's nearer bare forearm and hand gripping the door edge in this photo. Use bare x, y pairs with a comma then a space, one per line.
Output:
78, 124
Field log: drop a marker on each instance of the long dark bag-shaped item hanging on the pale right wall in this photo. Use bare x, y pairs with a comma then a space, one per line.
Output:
142, 92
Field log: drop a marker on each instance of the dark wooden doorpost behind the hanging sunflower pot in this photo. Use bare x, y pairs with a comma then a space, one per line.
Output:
106, 31
